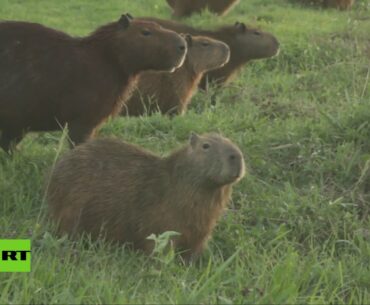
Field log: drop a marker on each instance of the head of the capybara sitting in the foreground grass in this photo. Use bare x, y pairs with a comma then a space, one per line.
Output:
218, 161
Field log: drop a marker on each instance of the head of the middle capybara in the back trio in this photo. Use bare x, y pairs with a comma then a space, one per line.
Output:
205, 53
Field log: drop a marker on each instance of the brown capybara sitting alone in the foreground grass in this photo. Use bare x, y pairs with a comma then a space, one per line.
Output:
120, 192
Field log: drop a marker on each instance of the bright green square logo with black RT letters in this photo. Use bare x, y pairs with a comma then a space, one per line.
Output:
15, 255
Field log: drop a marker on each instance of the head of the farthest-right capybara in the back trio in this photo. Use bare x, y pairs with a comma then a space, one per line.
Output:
253, 43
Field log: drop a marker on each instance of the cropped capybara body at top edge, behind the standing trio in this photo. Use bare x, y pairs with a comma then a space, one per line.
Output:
183, 8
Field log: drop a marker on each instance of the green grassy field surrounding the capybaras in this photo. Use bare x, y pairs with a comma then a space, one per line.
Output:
298, 228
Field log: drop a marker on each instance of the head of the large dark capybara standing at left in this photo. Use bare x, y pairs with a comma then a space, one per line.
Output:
160, 49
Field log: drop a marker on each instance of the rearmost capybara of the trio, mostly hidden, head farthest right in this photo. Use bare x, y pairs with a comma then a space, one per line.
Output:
245, 44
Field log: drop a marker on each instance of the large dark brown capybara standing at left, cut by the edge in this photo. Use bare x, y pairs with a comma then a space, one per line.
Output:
49, 79
